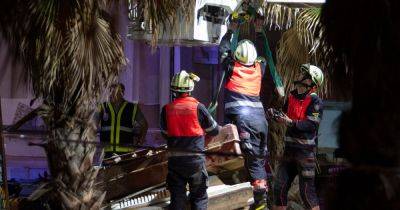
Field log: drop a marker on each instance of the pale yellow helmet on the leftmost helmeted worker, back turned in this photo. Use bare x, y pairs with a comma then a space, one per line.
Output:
183, 82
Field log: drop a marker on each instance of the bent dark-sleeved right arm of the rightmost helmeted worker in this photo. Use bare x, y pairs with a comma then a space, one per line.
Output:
314, 116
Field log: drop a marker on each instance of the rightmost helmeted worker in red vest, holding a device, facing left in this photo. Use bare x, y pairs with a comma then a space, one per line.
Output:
303, 113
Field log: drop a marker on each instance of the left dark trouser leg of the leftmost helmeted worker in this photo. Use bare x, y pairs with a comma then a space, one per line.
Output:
177, 187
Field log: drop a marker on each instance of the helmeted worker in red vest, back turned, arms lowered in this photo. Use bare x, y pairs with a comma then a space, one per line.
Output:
184, 122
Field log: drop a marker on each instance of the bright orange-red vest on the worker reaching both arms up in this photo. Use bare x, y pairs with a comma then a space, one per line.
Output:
245, 79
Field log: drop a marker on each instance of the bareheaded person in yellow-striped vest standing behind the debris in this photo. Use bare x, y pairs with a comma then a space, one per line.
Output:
122, 123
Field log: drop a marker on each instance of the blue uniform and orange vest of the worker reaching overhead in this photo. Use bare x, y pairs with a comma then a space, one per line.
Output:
244, 108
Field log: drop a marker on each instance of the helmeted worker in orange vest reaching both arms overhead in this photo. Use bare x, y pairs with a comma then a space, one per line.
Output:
245, 71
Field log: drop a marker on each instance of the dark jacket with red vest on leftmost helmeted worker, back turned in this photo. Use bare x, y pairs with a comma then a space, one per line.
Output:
184, 123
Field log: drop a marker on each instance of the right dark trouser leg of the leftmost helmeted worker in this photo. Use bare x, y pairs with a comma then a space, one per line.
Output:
198, 184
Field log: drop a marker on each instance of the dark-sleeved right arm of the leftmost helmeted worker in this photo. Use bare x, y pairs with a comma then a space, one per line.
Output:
207, 122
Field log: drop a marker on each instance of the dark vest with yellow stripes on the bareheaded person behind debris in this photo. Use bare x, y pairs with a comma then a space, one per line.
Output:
117, 128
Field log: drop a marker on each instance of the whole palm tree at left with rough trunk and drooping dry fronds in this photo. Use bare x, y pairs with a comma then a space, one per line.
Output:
71, 53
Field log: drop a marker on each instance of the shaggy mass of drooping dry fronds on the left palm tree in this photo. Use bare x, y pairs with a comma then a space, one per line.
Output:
68, 49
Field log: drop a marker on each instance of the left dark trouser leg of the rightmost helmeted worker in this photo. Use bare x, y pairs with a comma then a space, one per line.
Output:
285, 173
